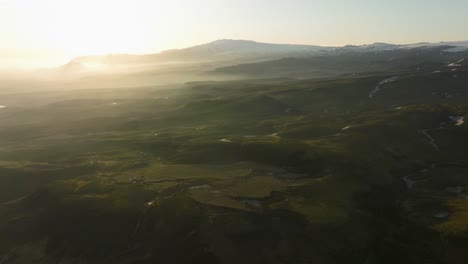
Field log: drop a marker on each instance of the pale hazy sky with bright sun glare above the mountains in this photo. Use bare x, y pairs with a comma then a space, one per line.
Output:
47, 32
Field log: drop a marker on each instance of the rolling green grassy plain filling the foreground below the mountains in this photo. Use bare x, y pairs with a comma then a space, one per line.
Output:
259, 171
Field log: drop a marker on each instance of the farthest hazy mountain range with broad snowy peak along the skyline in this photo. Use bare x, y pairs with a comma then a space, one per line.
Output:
228, 49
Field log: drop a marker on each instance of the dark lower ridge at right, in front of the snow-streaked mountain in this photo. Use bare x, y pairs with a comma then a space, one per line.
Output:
353, 60
